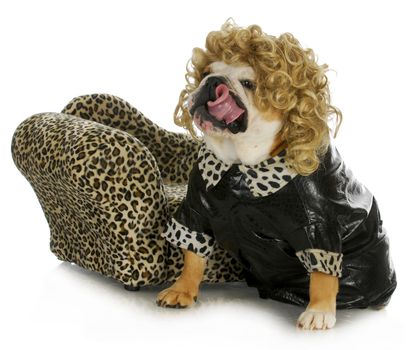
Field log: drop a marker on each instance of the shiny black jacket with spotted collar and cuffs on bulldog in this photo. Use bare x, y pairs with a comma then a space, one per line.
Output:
280, 226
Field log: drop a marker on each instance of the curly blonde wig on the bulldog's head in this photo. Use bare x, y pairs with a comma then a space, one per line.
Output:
288, 80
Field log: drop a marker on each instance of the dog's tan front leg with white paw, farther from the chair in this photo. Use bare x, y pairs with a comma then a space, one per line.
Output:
321, 311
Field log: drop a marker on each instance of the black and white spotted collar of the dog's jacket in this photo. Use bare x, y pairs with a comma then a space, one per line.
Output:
262, 179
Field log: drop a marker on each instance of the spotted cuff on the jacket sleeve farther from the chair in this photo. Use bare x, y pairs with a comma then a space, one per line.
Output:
322, 261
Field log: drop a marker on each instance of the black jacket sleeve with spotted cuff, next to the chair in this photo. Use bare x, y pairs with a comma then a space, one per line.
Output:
189, 227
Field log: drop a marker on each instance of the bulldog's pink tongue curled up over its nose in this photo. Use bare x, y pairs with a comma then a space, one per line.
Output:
224, 107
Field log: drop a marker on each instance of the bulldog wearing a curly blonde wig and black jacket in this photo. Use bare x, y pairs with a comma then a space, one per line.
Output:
270, 187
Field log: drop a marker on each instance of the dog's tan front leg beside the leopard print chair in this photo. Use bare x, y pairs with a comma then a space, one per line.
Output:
185, 290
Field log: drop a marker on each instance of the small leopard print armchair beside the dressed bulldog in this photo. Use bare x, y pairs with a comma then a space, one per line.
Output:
108, 179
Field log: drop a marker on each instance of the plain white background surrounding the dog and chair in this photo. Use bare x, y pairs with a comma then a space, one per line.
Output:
52, 51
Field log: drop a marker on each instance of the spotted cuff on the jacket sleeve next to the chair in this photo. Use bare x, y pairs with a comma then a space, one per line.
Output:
181, 236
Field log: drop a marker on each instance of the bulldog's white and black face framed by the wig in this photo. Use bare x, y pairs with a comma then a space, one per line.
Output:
222, 108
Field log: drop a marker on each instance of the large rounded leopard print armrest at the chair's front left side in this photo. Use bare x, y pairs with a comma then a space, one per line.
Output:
101, 192
